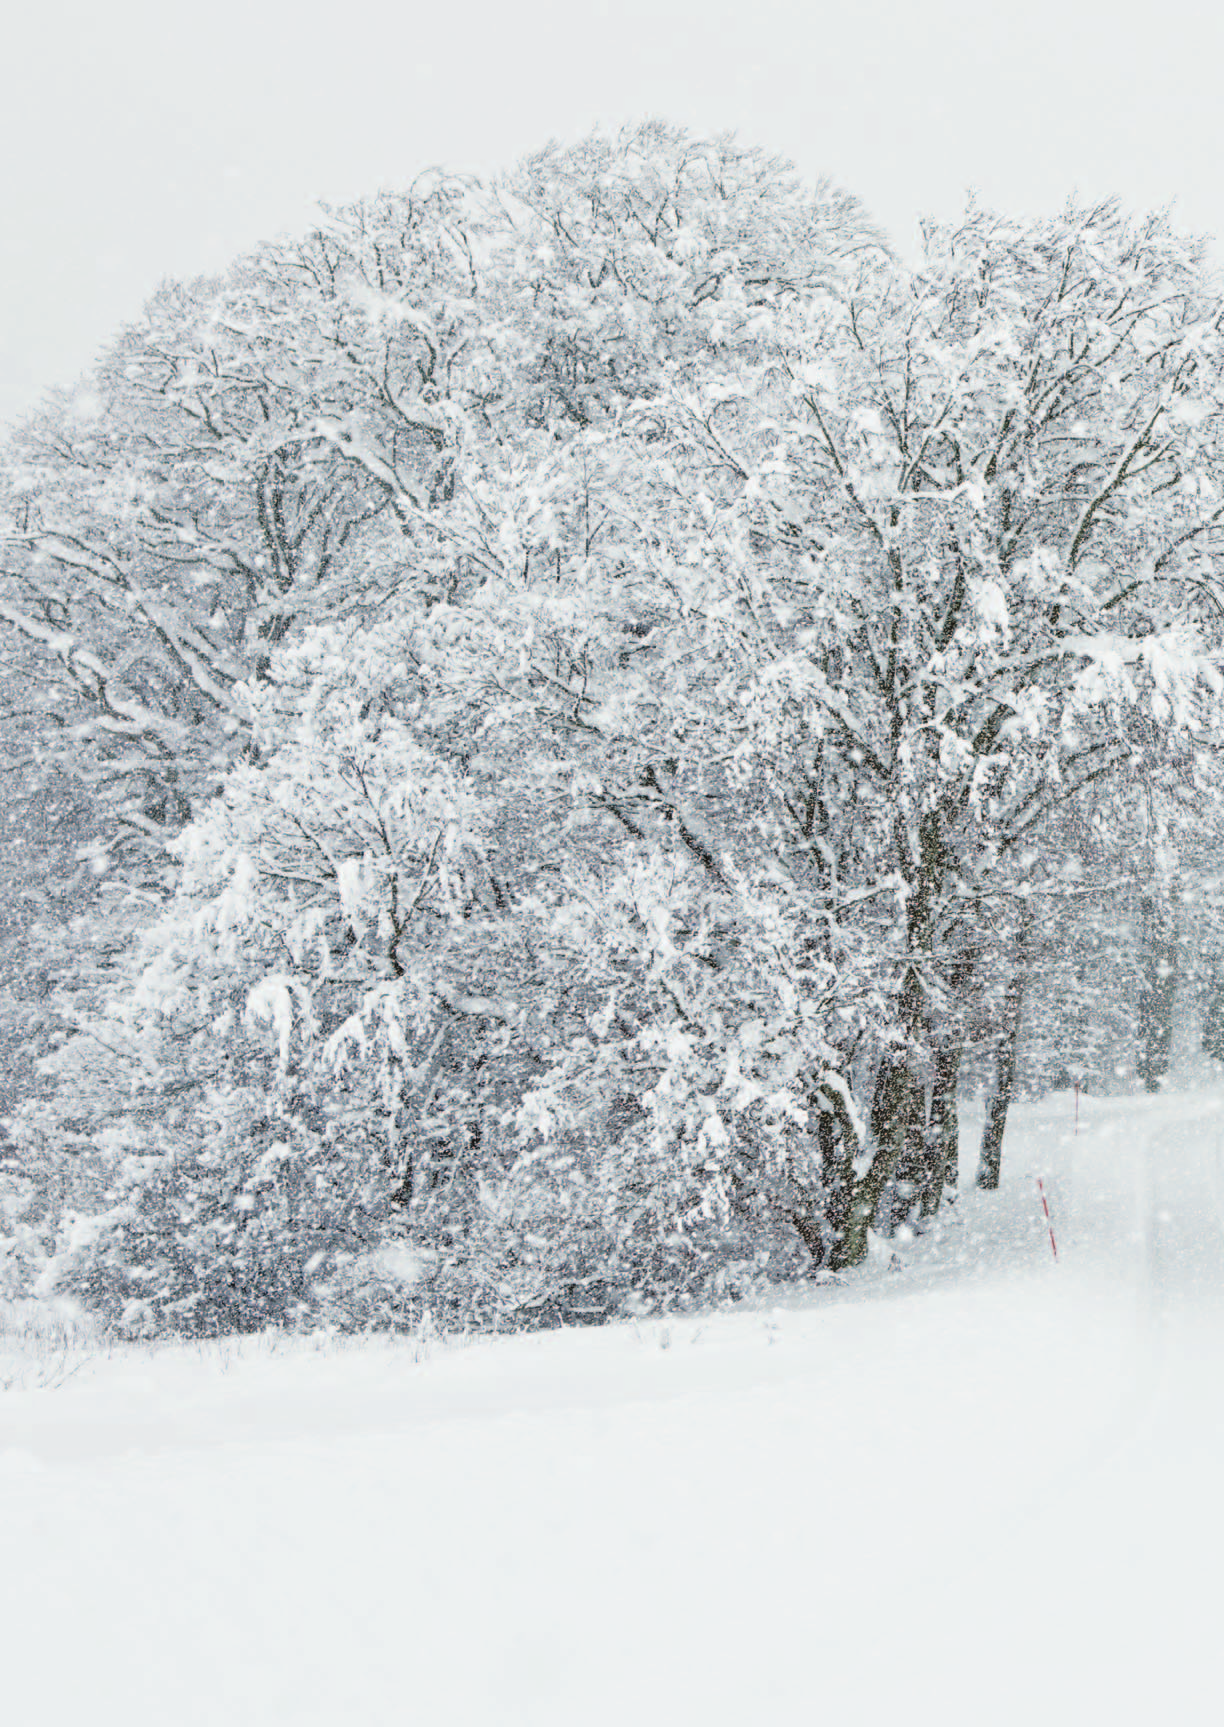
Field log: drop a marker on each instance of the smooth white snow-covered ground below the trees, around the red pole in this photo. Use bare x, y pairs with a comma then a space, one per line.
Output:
985, 1490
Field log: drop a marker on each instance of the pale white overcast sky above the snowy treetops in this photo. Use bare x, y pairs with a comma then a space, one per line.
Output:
144, 139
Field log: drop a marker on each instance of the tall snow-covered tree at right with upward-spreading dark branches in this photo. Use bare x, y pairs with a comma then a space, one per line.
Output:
1009, 483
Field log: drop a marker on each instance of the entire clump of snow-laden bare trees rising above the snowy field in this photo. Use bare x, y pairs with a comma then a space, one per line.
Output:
631, 683
